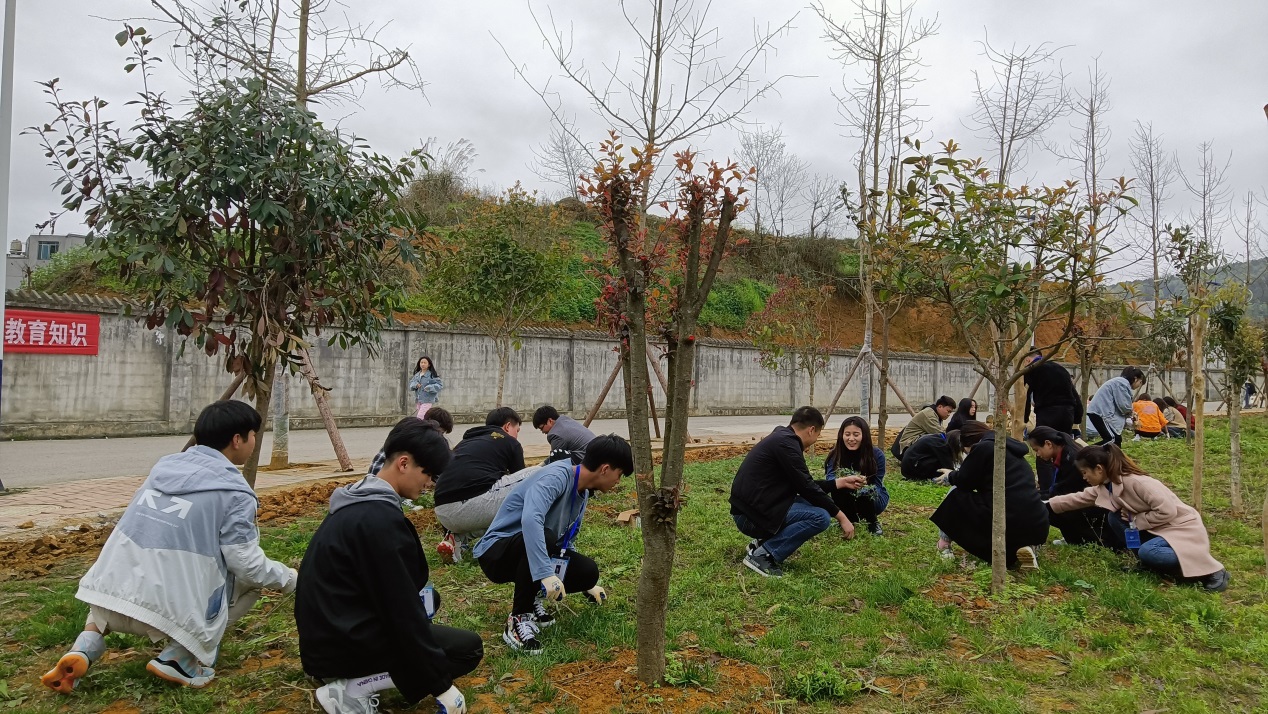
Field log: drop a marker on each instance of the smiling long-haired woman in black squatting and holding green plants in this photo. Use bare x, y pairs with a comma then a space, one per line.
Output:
855, 475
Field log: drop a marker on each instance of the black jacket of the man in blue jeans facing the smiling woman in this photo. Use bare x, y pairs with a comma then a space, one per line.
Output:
772, 477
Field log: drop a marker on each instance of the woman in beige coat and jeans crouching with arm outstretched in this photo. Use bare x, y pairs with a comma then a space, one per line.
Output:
1172, 538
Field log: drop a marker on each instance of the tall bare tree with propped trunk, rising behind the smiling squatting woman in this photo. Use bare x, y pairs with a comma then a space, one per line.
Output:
881, 41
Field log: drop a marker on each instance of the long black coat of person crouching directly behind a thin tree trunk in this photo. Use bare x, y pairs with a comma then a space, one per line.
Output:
966, 513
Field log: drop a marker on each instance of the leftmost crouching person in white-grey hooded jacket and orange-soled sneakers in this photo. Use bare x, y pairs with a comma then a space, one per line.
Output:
184, 560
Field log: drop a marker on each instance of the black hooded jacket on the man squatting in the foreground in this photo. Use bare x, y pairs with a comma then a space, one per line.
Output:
358, 607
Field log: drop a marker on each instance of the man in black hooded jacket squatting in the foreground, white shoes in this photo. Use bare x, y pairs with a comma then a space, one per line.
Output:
363, 607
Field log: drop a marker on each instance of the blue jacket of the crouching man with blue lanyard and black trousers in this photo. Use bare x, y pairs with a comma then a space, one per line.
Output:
547, 500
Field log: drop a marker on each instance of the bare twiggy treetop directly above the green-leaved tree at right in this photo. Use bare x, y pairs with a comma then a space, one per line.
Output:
1024, 96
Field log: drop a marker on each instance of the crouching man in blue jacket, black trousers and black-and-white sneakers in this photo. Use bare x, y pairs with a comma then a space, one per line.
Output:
531, 541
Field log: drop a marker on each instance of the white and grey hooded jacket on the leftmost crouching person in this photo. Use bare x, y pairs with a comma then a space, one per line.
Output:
183, 547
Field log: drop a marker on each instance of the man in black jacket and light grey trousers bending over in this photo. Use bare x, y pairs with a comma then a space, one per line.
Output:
488, 465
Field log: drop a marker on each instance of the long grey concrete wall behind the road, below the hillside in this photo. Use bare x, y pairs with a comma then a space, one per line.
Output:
143, 382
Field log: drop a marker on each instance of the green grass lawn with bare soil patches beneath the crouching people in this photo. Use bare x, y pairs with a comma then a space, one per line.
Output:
877, 625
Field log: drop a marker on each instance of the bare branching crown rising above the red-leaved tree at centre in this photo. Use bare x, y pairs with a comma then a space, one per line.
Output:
679, 87
